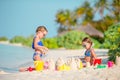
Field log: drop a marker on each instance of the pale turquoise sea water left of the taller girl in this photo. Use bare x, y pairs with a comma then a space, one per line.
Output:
14, 57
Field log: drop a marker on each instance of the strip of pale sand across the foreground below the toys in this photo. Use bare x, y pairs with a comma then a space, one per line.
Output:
83, 74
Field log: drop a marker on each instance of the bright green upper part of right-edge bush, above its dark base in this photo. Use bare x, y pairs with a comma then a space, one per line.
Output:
112, 36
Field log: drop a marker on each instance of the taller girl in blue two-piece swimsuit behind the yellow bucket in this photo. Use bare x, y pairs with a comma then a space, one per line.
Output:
37, 45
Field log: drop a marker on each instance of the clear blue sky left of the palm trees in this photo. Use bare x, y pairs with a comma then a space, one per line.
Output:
22, 17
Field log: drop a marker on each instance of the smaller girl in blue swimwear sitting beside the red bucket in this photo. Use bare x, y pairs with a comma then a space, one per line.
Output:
90, 55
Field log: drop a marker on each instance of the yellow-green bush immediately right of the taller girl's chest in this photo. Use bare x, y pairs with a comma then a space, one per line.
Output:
50, 43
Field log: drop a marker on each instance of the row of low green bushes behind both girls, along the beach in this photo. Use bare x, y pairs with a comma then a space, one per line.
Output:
70, 40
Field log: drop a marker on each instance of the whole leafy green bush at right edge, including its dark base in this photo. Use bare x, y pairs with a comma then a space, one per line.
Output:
112, 41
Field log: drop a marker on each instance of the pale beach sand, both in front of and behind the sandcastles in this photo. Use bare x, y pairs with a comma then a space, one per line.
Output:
83, 74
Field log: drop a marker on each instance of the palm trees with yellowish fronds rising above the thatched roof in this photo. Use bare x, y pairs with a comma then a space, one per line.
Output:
86, 14
